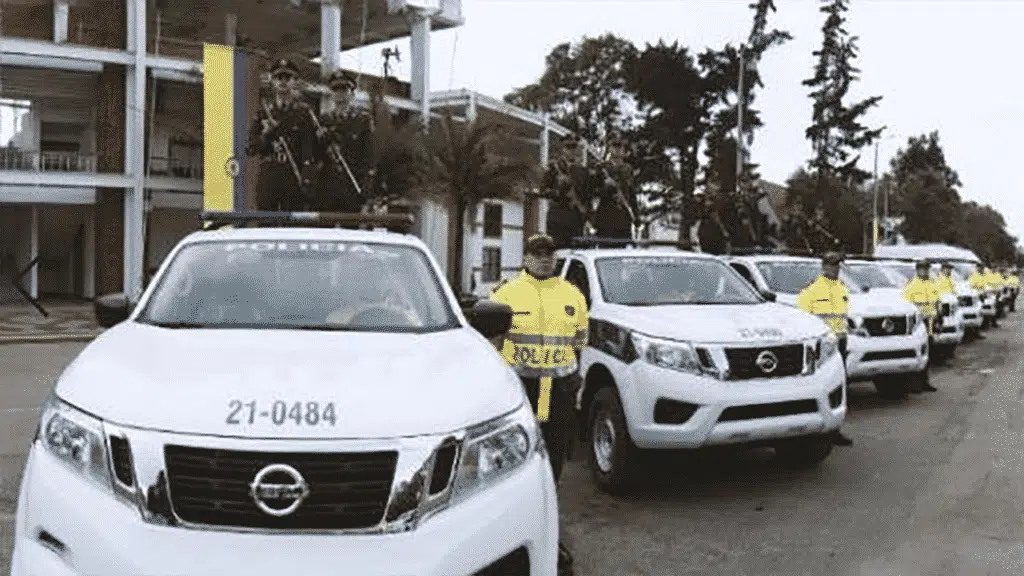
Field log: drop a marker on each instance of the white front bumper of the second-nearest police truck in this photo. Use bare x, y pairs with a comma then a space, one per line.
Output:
773, 408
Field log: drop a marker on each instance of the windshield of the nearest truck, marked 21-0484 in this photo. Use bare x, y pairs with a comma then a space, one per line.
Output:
301, 285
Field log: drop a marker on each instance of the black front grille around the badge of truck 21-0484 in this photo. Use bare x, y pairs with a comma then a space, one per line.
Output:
347, 490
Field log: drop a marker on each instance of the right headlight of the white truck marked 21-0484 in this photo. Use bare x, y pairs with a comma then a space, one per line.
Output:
493, 450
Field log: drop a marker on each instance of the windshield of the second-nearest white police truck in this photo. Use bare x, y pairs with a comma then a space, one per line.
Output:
672, 280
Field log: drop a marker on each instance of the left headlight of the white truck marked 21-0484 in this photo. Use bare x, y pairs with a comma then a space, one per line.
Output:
75, 438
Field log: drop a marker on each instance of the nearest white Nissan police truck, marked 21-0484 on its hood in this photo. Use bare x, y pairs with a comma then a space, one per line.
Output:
283, 400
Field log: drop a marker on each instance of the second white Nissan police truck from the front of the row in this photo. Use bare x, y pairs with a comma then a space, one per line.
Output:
685, 354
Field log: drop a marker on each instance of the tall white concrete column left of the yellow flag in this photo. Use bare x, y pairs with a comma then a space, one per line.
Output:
135, 212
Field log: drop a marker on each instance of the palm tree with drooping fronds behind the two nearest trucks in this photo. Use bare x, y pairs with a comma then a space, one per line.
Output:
465, 163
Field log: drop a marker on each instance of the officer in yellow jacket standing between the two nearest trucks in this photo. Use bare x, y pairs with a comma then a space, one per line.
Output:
549, 331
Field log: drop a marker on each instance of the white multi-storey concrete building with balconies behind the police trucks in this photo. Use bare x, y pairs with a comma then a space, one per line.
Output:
84, 84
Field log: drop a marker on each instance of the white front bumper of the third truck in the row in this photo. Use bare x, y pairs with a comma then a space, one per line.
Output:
872, 357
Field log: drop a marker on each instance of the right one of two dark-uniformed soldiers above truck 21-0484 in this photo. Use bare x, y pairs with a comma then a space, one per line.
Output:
344, 152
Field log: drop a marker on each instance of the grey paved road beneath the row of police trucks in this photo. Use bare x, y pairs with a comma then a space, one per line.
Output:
933, 486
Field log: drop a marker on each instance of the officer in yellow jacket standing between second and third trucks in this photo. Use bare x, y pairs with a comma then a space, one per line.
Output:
828, 299
